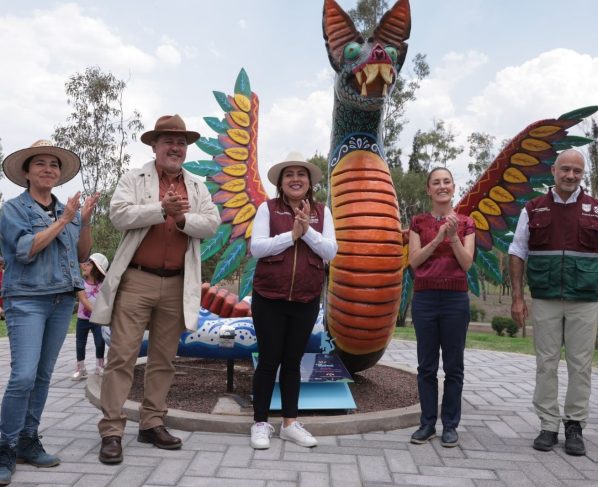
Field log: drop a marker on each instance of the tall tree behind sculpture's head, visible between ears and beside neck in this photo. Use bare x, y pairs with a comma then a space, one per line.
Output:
366, 16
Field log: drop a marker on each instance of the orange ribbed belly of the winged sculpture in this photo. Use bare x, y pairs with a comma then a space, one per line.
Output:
364, 283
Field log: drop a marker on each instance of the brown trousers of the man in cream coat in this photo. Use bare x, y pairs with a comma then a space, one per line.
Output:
143, 301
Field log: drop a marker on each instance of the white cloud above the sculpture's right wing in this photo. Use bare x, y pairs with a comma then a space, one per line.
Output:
552, 83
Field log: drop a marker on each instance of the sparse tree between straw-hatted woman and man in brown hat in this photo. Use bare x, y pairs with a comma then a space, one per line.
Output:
98, 131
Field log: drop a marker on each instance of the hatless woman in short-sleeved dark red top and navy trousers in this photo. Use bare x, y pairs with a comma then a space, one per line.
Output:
441, 248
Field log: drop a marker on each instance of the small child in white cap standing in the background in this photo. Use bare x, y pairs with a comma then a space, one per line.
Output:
93, 272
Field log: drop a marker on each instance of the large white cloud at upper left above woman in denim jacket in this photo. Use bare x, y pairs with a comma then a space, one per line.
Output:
42, 50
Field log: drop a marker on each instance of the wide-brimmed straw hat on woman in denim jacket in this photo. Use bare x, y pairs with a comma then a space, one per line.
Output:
70, 164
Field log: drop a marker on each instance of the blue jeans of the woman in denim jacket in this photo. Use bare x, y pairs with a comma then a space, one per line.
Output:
37, 326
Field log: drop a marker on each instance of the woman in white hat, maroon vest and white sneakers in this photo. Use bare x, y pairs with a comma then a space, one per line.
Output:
293, 236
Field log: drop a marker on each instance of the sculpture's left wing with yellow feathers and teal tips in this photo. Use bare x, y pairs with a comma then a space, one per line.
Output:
233, 179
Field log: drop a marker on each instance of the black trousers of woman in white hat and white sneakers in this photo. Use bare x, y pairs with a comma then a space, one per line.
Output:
282, 329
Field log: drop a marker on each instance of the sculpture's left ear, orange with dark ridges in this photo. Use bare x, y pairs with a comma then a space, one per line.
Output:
339, 30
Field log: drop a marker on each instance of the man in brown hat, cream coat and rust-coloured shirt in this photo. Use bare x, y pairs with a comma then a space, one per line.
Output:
154, 282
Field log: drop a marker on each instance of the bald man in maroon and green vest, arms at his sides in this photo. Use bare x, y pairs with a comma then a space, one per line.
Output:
557, 234
